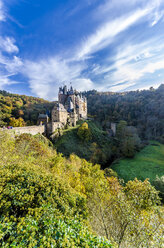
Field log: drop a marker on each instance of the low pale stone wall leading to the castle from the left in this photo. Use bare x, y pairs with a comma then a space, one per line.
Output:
29, 129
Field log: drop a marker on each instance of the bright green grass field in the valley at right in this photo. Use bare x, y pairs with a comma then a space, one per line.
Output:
148, 163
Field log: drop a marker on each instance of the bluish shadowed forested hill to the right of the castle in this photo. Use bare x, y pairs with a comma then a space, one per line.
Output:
142, 109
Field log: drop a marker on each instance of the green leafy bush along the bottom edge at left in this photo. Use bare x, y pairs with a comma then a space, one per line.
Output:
47, 228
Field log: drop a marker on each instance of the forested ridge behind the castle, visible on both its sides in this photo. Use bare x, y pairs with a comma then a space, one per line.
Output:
142, 109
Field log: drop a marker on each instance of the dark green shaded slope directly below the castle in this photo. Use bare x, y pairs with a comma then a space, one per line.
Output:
97, 148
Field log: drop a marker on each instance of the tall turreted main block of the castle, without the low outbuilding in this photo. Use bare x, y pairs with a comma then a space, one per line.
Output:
70, 107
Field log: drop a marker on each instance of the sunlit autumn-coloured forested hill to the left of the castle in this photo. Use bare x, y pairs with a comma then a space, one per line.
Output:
26, 107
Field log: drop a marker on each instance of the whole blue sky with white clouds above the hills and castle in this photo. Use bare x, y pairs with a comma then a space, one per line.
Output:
108, 45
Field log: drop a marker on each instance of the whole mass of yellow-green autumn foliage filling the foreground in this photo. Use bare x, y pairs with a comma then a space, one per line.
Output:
48, 200
